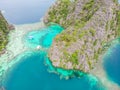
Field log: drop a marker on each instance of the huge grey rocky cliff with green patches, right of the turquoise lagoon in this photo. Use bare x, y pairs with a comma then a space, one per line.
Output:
89, 25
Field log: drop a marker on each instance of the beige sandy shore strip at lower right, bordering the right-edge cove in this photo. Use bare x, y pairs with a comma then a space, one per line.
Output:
100, 73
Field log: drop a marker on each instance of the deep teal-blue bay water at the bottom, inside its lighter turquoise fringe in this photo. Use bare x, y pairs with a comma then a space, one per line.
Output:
32, 74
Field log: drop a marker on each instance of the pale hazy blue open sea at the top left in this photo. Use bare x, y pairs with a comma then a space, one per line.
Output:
24, 11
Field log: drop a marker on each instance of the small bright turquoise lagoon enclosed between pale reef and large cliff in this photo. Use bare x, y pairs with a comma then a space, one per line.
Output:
43, 37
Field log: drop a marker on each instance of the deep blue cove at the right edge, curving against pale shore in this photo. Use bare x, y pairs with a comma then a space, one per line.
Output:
112, 62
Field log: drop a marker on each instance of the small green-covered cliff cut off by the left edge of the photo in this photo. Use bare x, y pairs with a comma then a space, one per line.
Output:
4, 30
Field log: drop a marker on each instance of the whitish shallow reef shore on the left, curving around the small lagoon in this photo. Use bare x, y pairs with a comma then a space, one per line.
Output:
15, 45
